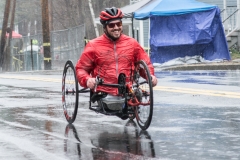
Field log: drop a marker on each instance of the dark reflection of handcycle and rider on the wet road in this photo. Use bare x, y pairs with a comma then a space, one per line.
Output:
131, 144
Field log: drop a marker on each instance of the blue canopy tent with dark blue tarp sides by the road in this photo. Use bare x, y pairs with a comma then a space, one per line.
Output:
184, 28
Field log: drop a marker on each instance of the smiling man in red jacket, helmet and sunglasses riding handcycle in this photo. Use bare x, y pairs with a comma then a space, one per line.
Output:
110, 54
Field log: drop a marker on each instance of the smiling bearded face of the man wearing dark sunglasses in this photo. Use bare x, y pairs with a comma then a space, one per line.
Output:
114, 28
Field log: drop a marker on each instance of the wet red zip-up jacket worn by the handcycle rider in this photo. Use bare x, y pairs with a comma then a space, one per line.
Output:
108, 59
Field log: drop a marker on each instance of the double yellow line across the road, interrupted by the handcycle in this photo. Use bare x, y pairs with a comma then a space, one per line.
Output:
160, 88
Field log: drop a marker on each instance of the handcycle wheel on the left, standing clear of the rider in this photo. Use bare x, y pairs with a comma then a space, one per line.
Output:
69, 92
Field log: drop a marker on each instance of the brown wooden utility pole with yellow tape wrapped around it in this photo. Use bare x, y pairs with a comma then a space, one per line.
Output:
46, 35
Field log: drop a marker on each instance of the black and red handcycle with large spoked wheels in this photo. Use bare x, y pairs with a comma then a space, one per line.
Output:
135, 100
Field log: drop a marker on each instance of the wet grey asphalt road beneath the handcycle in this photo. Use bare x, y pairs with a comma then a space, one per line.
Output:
196, 116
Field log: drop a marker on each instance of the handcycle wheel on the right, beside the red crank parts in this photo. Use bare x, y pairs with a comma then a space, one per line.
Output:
143, 113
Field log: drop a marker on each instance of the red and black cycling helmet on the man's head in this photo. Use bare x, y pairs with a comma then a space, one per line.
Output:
110, 14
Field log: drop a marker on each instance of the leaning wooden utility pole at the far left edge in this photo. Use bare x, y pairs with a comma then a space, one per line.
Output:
3, 36
